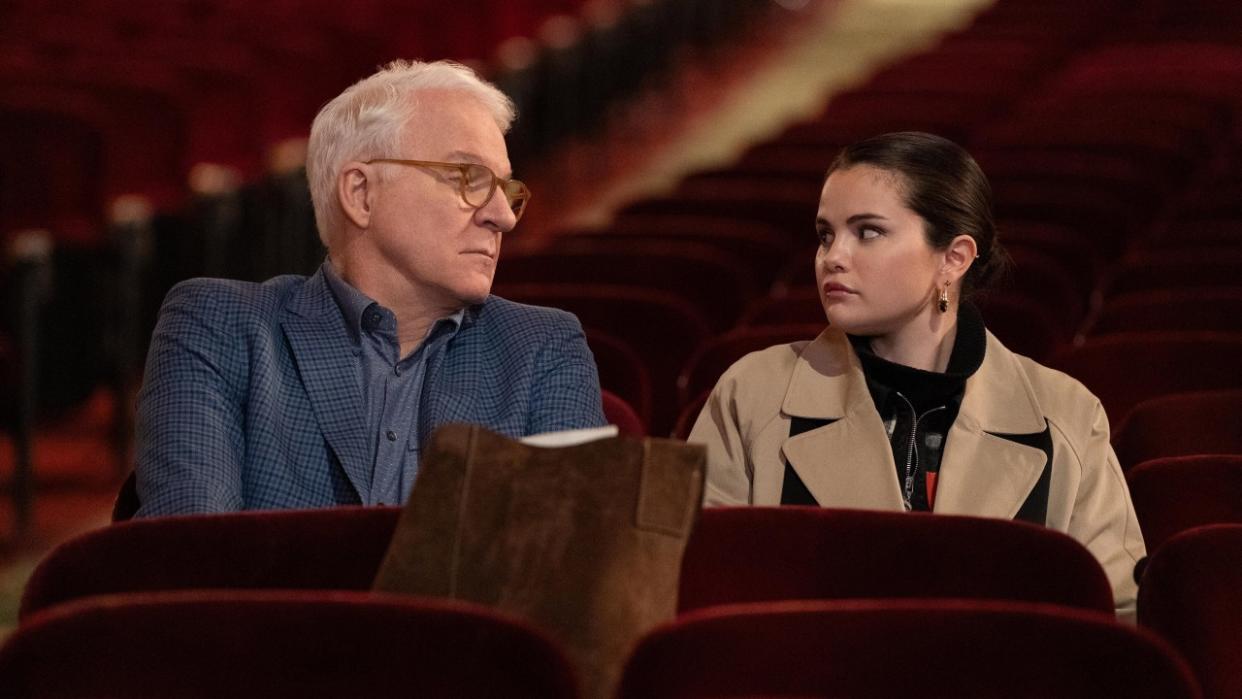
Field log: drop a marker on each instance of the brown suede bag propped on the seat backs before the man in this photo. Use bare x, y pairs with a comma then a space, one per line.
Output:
586, 542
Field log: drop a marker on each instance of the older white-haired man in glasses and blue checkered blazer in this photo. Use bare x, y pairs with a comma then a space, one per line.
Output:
304, 393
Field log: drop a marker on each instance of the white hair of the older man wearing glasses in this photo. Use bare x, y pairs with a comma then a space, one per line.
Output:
368, 119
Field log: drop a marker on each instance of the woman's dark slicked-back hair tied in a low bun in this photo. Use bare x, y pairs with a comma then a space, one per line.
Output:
945, 186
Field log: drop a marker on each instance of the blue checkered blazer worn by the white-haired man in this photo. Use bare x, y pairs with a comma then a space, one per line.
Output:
252, 398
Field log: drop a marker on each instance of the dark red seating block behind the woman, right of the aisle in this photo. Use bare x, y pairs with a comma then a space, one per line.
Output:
1113, 147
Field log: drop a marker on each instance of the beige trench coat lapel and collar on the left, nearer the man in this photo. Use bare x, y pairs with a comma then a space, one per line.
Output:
849, 462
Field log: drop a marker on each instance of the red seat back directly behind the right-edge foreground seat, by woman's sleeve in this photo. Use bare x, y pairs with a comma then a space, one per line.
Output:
1179, 494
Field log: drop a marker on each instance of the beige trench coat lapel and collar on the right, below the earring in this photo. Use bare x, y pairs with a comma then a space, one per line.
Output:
981, 474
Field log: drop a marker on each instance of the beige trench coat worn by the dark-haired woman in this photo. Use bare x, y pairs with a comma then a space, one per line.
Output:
747, 420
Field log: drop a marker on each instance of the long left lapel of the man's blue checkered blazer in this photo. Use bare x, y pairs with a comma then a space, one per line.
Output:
329, 367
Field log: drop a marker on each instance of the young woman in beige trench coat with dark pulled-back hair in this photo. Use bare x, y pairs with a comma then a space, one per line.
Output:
906, 400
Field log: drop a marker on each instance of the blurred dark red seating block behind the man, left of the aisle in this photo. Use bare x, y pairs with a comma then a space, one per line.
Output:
151, 141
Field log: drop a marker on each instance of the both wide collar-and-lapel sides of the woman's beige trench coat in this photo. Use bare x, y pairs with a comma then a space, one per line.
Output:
850, 462
